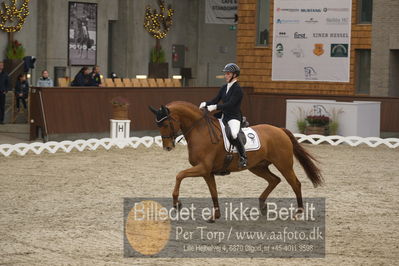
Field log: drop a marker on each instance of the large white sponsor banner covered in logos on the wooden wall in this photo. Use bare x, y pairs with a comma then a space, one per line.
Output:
311, 40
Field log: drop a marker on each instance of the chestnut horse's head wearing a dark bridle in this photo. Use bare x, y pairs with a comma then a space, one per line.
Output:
168, 126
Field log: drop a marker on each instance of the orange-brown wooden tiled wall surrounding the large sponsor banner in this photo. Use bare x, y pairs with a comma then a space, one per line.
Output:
256, 62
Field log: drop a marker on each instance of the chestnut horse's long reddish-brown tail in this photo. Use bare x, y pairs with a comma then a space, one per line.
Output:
306, 160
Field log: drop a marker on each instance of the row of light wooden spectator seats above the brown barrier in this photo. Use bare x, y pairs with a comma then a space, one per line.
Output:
127, 82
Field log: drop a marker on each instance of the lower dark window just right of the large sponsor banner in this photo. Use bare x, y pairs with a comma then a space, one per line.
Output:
363, 58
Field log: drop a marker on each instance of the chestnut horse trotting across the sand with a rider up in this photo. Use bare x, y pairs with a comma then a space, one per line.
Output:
206, 152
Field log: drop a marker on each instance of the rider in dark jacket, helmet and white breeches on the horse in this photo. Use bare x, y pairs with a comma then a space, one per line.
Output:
231, 95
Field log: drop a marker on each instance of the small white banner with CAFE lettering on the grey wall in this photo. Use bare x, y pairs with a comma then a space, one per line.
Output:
221, 11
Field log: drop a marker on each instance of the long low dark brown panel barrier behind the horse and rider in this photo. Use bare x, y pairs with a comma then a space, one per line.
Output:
88, 110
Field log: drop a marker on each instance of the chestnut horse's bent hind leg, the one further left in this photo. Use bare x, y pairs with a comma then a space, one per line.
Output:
263, 171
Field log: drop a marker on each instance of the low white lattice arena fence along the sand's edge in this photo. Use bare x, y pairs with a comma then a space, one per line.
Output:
134, 142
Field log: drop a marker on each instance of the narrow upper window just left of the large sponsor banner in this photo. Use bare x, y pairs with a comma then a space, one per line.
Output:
263, 27
